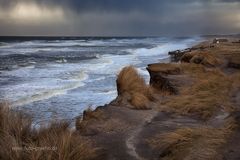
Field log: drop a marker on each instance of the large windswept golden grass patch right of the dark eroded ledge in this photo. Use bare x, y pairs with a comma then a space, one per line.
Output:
209, 93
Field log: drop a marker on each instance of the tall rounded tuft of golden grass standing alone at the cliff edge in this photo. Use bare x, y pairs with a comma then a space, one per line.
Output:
132, 86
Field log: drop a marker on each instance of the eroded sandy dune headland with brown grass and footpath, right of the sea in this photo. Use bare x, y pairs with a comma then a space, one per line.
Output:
192, 110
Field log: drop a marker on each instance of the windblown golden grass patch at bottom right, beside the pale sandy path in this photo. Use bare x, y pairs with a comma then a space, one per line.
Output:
190, 143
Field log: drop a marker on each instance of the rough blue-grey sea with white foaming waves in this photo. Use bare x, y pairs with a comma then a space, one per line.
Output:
53, 78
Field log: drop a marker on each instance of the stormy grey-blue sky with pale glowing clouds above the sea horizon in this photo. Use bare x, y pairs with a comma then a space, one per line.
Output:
119, 17
